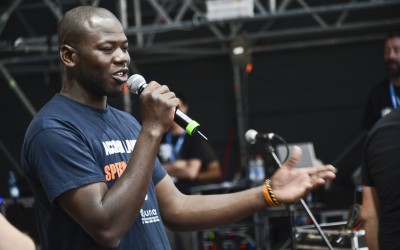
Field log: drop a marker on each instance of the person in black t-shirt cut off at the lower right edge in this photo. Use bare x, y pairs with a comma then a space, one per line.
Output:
380, 193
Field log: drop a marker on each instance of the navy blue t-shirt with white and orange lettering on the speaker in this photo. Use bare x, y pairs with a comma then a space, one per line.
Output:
68, 145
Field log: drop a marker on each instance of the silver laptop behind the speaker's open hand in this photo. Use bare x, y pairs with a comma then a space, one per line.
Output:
308, 158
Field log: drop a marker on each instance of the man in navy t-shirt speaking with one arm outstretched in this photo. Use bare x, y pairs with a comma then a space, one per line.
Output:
93, 169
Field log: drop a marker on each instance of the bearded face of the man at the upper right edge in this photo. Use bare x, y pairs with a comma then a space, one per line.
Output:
392, 56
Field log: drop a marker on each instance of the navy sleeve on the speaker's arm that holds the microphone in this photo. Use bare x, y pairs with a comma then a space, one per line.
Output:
63, 161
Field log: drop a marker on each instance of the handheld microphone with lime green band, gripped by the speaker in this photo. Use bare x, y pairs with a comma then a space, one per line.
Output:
136, 83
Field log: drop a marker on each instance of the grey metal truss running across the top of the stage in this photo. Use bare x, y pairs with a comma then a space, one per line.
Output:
180, 27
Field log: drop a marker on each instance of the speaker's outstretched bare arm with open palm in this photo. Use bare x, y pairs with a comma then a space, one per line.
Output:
196, 212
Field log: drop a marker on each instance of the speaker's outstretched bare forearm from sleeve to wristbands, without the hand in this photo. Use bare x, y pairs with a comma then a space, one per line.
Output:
195, 212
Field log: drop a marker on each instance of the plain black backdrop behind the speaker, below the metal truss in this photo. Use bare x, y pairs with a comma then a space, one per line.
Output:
314, 95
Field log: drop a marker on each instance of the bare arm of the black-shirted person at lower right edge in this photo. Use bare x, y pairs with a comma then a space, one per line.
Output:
369, 214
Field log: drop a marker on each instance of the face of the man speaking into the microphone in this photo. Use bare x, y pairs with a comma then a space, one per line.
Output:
103, 58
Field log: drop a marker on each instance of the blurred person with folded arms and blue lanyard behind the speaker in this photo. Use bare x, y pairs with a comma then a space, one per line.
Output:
190, 161
